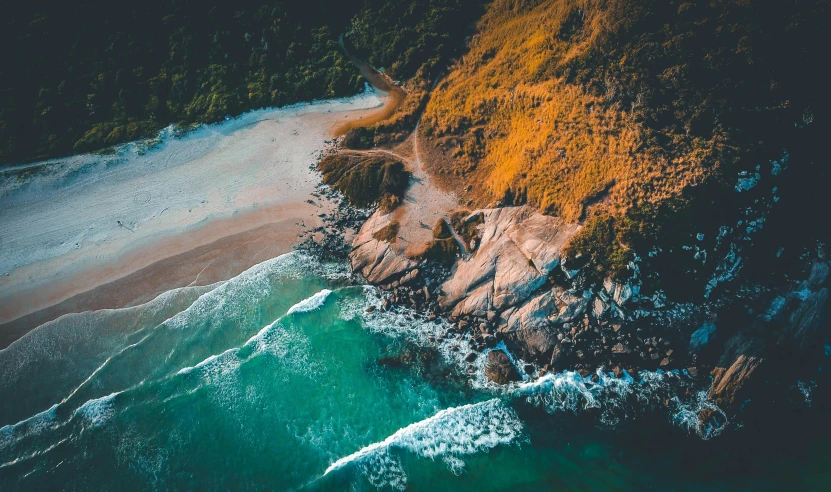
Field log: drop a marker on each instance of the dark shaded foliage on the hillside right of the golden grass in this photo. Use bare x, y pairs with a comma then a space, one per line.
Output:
736, 85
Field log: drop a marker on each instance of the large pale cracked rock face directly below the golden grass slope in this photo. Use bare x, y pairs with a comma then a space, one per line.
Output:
517, 250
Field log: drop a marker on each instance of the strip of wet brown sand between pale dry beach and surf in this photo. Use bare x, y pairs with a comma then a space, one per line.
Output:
217, 251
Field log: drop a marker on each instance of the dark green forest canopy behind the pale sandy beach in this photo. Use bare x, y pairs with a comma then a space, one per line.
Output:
87, 75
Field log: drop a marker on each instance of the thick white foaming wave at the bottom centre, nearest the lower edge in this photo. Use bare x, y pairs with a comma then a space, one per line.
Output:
450, 433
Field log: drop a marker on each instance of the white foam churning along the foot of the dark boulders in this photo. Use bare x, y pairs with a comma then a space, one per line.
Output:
614, 399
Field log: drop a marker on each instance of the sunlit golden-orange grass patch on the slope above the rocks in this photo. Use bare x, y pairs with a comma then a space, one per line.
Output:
520, 133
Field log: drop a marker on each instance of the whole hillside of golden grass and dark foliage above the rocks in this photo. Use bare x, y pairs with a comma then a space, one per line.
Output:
637, 118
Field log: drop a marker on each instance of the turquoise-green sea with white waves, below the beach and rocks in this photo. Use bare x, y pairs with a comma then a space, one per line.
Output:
271, 381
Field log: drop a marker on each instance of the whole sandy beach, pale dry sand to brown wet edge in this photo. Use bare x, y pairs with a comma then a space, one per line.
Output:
106, 231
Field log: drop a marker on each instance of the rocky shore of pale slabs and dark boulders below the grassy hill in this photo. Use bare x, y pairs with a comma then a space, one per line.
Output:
509, 283
